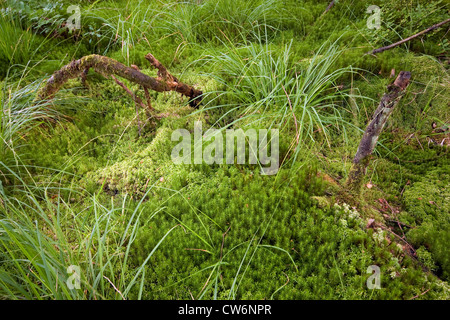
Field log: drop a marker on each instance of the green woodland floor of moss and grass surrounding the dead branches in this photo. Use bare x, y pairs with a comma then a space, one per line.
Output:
87, 179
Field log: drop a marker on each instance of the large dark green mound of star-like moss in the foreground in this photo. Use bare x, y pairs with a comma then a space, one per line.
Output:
329, 246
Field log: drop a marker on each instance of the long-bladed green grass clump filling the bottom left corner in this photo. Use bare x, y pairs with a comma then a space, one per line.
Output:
40, 254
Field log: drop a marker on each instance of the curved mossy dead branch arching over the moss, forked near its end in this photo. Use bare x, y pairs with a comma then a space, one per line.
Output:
107, 67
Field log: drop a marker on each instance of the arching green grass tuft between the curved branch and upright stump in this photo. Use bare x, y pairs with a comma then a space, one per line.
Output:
263, 86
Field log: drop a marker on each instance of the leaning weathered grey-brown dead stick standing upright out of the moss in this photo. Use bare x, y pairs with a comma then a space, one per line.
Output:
373, 131
